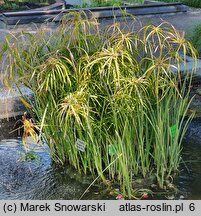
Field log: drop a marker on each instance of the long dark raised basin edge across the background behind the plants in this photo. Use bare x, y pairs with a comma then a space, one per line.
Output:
39, 16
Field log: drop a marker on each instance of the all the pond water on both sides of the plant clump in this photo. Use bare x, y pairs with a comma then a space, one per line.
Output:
22, 178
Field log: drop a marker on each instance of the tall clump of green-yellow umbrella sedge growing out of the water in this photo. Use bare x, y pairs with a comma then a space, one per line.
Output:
120, 92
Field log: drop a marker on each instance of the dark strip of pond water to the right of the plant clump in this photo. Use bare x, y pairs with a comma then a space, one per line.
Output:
189, 181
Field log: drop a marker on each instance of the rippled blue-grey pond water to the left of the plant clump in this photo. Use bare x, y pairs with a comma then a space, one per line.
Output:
39, 178
